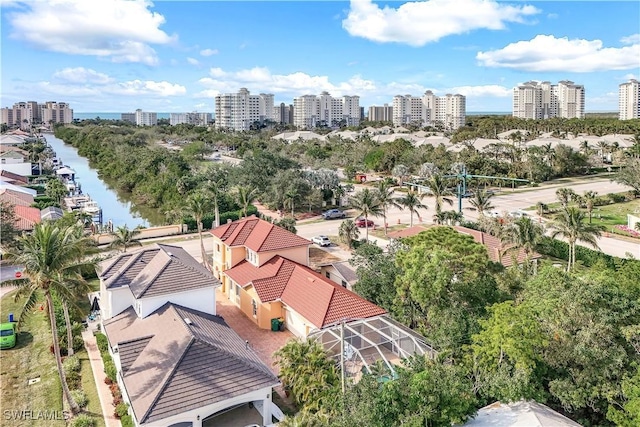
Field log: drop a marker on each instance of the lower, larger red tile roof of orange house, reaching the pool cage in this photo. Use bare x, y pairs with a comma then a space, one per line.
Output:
313, 296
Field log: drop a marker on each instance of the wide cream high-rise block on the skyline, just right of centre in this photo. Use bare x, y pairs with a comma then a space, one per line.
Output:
448, 111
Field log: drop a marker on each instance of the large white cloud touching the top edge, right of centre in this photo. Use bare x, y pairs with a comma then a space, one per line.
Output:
420, 22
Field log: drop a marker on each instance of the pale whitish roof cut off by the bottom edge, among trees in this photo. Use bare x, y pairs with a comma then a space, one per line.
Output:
519, 414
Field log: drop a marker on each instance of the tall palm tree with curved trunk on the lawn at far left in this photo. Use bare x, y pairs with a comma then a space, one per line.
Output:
53, 259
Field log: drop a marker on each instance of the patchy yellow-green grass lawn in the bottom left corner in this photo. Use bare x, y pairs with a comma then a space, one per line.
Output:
30, 358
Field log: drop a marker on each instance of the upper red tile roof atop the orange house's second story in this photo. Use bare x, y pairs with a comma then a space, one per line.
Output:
258, 235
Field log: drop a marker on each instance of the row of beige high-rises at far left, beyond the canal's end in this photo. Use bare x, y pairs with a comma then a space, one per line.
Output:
26, 114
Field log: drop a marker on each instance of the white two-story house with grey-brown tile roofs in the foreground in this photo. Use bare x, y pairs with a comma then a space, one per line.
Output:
177, 361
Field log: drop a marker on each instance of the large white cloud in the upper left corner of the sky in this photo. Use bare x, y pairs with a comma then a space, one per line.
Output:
118, 30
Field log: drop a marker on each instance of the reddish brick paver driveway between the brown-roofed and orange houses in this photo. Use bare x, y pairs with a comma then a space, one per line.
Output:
263, 341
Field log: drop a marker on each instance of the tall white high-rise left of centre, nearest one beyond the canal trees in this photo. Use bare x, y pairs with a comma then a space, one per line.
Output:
239, 111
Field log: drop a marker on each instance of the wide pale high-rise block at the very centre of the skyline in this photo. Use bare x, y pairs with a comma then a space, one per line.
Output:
311, 111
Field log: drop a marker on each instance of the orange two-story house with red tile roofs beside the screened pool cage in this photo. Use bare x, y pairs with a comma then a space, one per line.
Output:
263, 270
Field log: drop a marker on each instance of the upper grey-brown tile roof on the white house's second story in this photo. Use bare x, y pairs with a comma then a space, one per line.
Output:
157, 270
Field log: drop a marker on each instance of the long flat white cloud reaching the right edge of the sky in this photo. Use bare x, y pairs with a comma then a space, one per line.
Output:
548, 53
